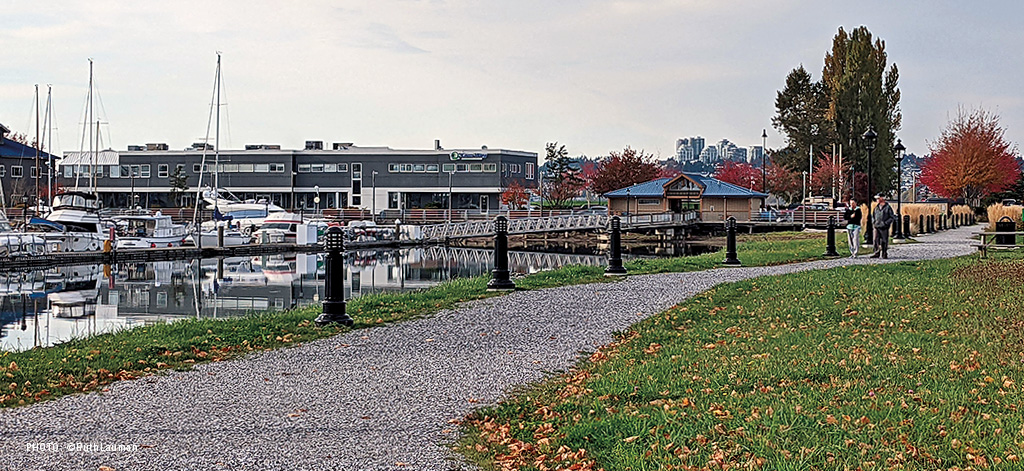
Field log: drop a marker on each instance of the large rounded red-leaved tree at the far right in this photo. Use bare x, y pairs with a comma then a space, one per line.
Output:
971, 159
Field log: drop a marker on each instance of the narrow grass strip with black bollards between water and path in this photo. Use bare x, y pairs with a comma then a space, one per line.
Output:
91, 364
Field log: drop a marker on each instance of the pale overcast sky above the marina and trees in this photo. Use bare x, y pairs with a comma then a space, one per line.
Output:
596, 76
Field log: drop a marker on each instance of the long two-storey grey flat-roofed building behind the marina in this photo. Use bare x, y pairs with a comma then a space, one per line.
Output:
344, 176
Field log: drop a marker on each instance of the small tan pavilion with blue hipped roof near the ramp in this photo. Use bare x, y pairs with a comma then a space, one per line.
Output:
715, 200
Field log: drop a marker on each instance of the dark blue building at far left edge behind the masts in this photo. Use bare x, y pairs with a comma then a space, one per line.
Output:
18, 174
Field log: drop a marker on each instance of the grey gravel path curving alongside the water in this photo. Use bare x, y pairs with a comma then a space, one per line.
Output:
369, 400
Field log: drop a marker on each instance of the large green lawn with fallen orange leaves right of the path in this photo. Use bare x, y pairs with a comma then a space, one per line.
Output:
910, 366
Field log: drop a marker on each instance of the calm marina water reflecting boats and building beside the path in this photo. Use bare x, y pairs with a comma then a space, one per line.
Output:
46, 308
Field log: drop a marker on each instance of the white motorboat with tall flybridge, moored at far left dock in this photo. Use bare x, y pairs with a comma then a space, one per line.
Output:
74, 225
